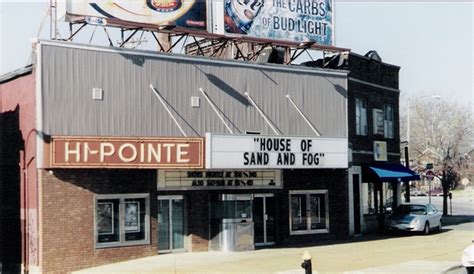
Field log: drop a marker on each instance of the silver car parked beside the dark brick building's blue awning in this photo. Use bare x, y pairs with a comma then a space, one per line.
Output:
415, 218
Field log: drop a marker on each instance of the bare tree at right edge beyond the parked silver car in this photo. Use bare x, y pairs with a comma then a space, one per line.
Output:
442, 132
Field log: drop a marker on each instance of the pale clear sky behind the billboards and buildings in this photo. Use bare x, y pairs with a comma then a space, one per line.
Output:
431, 41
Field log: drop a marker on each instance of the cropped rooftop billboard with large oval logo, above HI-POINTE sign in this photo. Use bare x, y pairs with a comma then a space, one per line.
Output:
180, 13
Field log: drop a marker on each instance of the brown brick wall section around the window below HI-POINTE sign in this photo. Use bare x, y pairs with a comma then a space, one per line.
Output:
67, 216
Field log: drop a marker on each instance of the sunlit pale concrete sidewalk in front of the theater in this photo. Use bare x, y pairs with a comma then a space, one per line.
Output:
435, 253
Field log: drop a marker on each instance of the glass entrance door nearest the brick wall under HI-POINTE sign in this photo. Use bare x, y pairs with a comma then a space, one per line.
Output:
170, 223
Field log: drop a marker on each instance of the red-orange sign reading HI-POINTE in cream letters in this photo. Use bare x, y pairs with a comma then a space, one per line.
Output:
115, 152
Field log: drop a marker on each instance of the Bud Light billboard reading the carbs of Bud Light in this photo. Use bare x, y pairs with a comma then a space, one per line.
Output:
293, 20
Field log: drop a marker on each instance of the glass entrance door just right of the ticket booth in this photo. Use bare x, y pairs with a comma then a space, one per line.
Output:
264, 219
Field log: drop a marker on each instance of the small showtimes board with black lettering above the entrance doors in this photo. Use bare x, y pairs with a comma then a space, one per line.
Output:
218, 179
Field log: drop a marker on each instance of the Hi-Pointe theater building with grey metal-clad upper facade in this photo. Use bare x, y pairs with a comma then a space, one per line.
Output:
123, 154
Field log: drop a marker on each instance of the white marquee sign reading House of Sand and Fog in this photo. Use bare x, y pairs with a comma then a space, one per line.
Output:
274, 152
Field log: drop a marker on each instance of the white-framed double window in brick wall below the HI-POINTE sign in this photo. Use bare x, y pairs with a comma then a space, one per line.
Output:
122, 220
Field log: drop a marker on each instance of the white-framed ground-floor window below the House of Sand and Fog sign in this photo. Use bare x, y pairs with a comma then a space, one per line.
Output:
309, 212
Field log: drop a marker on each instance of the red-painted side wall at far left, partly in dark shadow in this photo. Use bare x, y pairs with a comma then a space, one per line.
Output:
18, 191
